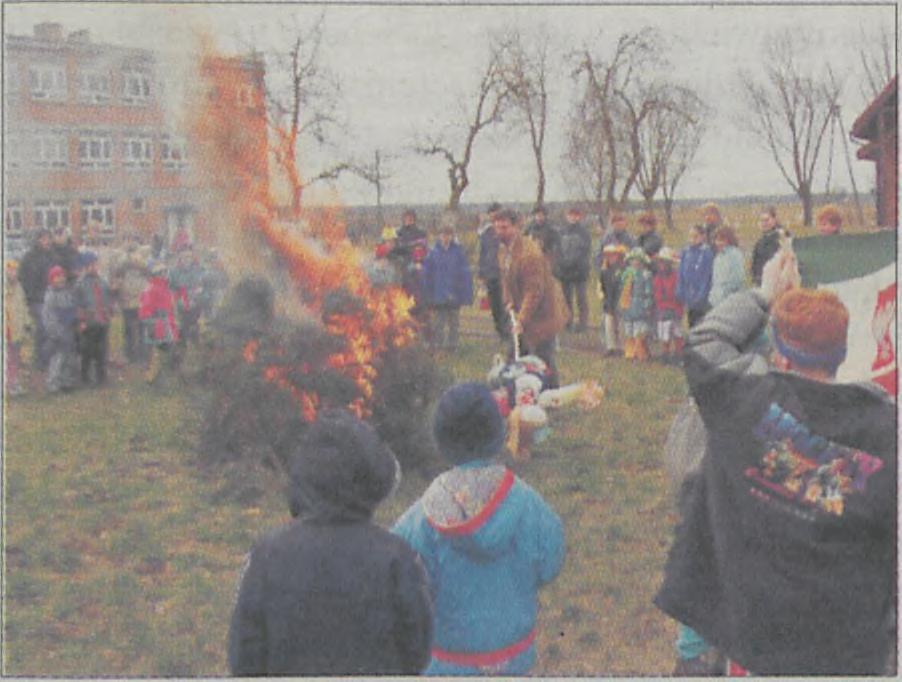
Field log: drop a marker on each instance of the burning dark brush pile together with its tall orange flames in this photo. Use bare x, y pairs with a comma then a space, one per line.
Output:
307, 328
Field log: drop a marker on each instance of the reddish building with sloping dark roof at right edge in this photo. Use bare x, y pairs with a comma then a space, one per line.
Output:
877, 128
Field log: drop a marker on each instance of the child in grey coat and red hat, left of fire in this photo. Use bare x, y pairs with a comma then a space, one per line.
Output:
59, 317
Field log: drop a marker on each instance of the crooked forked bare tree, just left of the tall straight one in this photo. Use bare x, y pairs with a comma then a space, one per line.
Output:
490, 101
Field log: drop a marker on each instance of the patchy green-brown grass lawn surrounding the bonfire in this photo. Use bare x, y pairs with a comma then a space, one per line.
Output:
121, 556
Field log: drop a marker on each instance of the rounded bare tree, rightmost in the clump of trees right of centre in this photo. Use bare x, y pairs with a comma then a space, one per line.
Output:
669, 138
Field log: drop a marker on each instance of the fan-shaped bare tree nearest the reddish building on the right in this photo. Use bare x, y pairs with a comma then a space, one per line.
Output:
790, 110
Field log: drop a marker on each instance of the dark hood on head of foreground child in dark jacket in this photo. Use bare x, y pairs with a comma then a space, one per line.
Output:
341, 470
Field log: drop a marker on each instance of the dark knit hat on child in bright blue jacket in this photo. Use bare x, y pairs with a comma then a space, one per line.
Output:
467, 424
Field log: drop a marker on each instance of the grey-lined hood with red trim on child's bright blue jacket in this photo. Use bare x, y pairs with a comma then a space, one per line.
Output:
471, 507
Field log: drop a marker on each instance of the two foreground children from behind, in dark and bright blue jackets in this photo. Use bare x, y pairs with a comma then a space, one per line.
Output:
452, 590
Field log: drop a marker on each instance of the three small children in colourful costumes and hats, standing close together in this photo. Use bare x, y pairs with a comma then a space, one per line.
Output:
639, 292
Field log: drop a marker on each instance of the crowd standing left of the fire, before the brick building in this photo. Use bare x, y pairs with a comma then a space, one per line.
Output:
62, 299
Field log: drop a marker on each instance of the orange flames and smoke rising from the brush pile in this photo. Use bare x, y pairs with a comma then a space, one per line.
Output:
229, 130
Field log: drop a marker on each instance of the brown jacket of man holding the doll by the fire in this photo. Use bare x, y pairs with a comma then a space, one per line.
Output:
528, 285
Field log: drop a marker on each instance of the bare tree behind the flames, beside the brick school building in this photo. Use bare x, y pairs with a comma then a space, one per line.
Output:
303, 98
